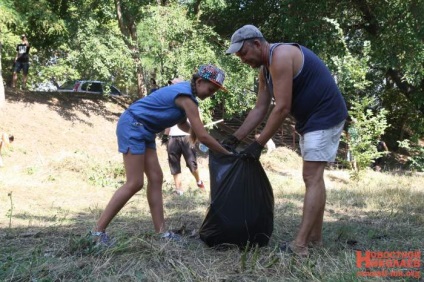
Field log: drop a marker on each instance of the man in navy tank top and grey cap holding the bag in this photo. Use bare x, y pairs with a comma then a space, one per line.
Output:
301, 85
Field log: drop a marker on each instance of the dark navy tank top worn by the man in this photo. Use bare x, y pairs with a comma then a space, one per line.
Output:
317, 103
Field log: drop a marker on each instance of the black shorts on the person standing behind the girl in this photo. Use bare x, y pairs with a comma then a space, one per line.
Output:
177, 146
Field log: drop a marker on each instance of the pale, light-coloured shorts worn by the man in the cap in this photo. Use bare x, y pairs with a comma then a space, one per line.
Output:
321, 145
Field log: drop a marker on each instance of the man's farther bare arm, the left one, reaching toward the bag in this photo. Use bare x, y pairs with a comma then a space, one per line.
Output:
258, 113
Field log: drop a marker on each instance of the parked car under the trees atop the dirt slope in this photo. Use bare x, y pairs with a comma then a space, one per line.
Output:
89, 86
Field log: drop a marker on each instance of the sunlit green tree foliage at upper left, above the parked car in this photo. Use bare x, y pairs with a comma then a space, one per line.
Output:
74, 40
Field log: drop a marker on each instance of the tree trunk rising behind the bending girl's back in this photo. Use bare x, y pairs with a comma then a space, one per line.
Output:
129, 31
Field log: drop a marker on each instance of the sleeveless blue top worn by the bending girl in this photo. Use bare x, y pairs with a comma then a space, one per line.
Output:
158, 110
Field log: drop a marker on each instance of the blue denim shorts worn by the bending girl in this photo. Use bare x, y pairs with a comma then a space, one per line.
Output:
133, 136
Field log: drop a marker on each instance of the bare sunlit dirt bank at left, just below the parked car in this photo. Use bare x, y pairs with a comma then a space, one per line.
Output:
45, 123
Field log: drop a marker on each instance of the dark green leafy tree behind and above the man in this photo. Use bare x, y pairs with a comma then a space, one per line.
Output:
392, 30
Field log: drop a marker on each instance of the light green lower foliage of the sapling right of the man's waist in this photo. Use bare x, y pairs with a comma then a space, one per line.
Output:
369, 125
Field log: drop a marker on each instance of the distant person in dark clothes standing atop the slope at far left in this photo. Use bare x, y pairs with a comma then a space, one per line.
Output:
21, 61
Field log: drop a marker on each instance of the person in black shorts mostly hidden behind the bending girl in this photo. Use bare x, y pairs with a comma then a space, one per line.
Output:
178, 144
